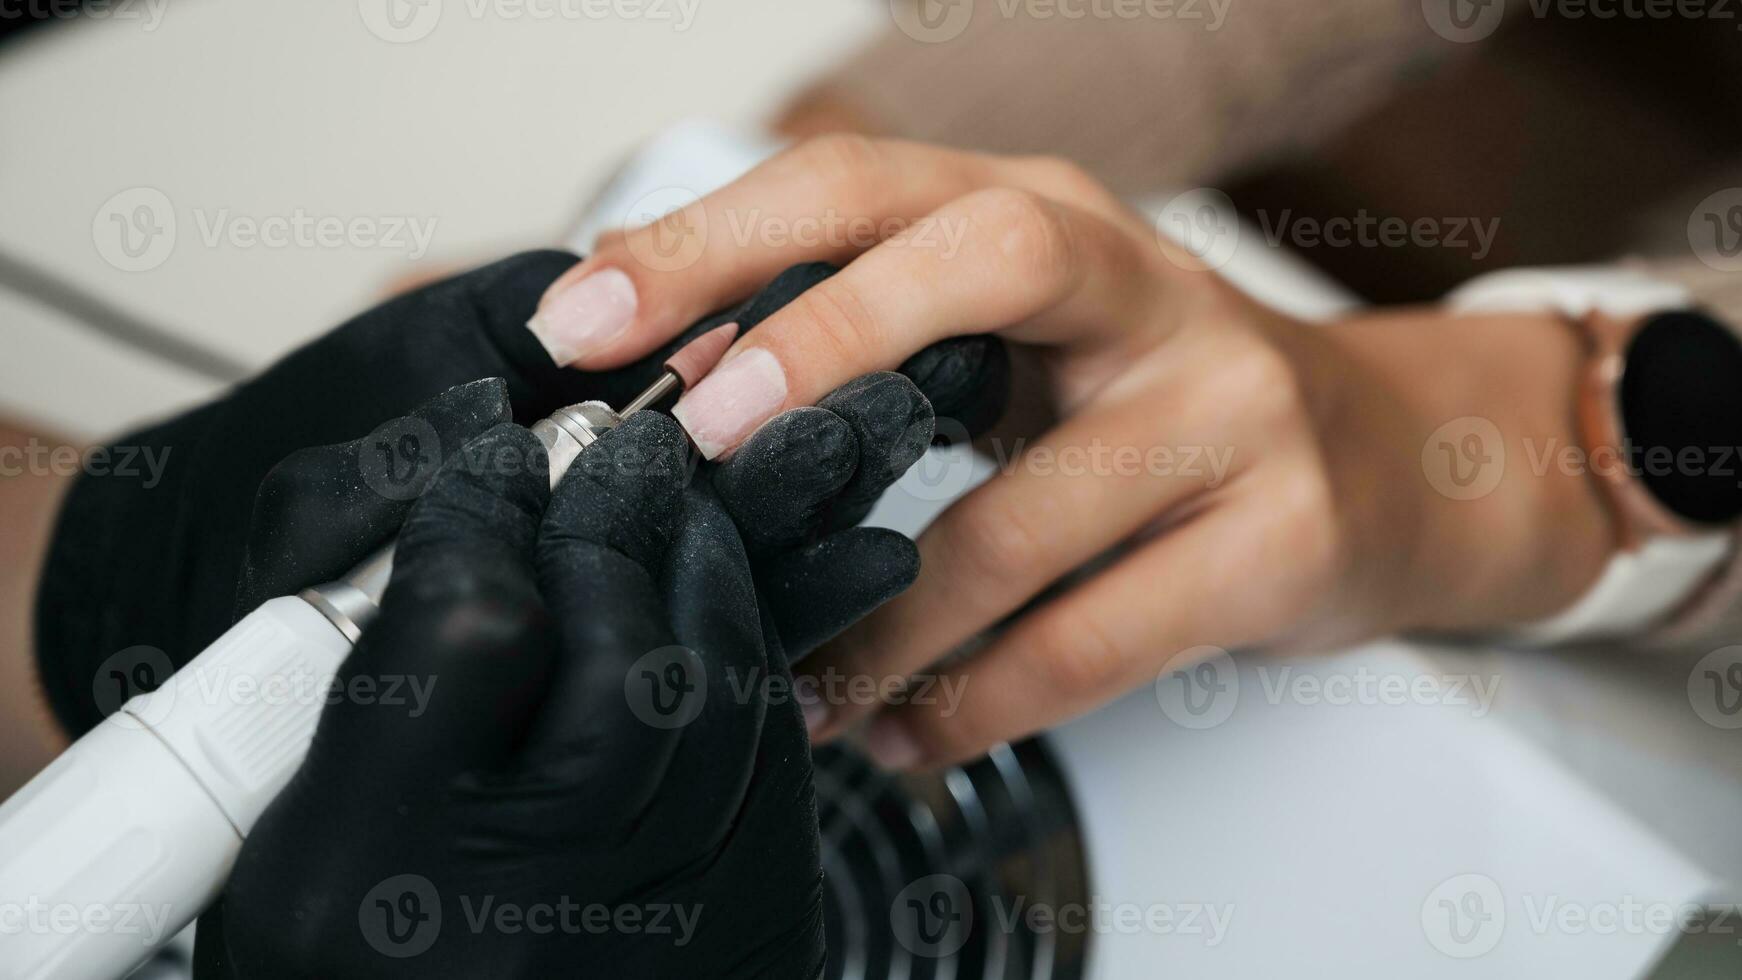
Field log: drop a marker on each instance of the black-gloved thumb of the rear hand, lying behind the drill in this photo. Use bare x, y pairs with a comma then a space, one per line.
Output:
328, 506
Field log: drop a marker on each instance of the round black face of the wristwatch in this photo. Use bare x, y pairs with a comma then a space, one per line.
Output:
1682, 413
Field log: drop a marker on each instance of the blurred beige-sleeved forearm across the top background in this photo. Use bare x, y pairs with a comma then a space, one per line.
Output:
1145, 102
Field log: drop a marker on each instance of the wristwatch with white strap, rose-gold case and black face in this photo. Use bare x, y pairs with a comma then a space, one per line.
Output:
1659, 415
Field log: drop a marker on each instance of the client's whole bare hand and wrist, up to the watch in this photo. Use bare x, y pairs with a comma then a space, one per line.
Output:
1234, 478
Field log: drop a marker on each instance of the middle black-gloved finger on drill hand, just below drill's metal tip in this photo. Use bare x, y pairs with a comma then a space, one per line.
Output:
618, 697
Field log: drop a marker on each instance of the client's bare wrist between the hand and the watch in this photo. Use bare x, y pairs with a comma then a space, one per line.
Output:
1508, 521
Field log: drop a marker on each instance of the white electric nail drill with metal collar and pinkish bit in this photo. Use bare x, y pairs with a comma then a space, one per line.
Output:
126, 838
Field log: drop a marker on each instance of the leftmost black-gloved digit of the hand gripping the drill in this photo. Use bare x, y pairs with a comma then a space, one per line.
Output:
463, 640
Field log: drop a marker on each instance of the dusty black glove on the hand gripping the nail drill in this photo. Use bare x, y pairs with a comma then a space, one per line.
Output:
544, 775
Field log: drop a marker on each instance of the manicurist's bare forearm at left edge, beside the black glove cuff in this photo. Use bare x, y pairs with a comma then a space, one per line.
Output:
29, 500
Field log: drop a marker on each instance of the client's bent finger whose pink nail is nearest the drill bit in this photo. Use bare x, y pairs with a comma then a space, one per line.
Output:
1025, 265
